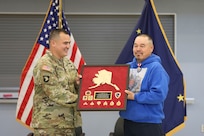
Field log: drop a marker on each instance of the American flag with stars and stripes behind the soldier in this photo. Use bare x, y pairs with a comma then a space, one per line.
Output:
26, 92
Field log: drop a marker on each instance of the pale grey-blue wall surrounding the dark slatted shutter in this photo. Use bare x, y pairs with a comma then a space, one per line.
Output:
189, 52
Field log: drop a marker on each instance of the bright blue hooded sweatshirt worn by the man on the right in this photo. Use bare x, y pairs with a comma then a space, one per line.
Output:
147, 106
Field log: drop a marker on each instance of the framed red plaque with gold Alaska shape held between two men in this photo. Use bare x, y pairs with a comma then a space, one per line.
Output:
102, 87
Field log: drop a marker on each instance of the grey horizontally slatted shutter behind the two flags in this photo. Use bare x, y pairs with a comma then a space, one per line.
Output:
100, 39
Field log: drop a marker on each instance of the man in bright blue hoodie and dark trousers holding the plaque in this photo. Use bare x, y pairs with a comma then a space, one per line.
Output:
144, 111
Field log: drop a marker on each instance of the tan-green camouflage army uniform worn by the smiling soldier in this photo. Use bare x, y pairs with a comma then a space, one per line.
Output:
56, 94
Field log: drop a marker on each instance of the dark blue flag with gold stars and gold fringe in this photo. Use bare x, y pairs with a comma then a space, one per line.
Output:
175, 105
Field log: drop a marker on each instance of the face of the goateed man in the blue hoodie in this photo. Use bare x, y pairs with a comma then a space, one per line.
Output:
142, 48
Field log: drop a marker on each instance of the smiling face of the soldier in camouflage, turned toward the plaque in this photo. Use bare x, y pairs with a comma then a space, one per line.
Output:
61, 45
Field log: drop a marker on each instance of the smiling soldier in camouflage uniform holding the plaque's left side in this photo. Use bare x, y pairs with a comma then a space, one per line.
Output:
56, 90
